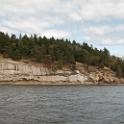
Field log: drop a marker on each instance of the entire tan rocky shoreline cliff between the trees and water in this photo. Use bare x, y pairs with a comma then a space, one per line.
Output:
19, 72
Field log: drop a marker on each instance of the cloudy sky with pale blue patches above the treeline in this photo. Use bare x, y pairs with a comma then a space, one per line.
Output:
98, 22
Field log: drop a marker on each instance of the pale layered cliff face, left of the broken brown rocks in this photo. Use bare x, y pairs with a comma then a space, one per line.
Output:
20, 72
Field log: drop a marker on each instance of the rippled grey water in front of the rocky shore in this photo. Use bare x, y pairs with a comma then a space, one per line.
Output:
61, 105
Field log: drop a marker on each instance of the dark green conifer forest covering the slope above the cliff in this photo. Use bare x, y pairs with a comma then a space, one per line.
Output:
57, 51
